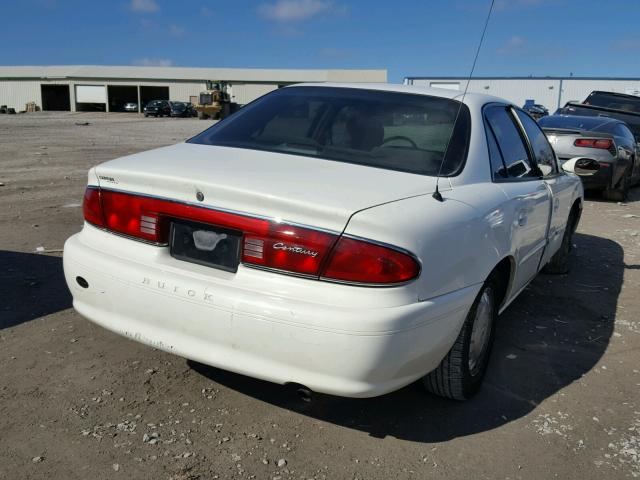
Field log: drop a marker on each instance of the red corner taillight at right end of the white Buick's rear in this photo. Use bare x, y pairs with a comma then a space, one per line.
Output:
364, 262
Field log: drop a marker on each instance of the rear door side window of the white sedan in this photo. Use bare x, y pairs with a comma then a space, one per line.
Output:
510, 143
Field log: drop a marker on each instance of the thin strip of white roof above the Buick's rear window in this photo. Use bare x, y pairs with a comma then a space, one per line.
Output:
477, 99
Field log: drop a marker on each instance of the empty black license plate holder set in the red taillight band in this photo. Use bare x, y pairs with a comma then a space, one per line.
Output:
204, 244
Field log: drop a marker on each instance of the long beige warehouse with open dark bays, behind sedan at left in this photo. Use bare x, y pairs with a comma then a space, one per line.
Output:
108, 88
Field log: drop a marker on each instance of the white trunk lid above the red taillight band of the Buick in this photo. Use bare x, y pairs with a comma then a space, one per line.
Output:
298, 189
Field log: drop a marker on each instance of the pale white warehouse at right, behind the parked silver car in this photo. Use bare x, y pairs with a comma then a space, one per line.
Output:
552, 92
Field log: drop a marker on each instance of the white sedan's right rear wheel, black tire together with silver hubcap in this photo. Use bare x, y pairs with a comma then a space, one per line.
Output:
460, 373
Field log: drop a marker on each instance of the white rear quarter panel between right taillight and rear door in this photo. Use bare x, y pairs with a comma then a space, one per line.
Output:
458, 241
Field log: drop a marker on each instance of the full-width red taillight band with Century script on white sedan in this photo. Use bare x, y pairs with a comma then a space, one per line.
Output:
267, 244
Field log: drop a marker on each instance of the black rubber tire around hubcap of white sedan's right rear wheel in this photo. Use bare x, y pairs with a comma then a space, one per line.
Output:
454, 378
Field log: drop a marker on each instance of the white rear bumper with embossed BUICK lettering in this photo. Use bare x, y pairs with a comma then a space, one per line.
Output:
335, 349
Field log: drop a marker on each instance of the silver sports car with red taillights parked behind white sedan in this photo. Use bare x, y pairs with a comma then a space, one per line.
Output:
608, 141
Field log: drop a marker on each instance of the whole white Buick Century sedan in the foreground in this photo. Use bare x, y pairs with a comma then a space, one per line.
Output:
350, 239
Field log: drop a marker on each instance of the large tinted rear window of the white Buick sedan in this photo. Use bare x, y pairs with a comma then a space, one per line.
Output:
396, 131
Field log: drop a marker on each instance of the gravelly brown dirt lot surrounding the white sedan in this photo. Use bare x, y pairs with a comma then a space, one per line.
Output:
561, 399
